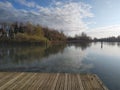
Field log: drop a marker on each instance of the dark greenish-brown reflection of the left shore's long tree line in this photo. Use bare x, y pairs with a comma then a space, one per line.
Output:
26, 54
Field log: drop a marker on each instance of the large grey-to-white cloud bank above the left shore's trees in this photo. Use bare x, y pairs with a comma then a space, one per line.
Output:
66, 16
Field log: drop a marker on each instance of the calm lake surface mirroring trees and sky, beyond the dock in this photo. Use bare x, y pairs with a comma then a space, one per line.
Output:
102, 59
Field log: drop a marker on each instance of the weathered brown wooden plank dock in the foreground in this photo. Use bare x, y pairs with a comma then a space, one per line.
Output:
49, 81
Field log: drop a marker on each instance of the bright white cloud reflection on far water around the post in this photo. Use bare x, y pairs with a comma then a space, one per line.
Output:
110, 49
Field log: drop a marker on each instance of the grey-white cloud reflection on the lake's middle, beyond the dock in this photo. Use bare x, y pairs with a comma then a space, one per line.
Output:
71, 60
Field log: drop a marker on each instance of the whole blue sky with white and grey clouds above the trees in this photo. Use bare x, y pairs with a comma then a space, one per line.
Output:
97, 18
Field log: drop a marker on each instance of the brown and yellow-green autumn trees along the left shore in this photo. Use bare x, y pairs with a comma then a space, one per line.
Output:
28, 32
